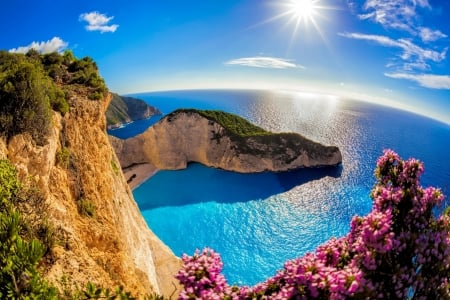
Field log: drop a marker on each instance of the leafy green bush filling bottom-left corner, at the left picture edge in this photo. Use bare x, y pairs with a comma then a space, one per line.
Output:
19, 256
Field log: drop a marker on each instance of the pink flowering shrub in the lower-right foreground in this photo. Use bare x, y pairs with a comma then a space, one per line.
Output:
400, 250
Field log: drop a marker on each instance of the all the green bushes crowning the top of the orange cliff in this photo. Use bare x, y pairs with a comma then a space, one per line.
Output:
32, 85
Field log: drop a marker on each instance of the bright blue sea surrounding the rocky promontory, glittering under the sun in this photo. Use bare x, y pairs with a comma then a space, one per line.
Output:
258, 221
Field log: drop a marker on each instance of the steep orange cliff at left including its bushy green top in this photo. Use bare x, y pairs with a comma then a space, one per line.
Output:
100, 234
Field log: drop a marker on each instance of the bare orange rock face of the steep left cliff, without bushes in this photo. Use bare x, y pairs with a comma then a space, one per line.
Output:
115, 246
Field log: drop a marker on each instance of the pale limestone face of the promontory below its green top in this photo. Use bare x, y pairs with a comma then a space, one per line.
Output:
187, 136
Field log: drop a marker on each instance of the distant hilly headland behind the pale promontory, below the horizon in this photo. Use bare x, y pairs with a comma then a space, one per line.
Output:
123, 110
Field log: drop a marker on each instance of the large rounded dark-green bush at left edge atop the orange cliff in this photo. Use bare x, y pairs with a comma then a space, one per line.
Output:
27, 96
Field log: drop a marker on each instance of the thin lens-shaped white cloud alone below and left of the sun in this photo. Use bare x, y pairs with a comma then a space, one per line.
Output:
264, 62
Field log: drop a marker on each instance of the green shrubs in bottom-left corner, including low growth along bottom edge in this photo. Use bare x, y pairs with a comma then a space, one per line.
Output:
26, 240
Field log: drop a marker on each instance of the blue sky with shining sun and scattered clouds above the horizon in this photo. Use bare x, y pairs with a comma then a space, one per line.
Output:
392, 52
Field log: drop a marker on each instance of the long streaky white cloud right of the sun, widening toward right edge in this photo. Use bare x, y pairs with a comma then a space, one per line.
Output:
412, 54
